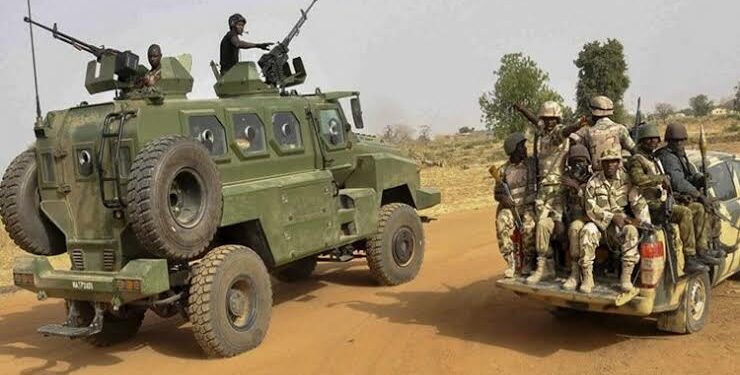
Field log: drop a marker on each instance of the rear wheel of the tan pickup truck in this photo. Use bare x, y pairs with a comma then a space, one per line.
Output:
693, 311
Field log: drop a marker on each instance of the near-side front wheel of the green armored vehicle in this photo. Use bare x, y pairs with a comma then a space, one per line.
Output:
396, 251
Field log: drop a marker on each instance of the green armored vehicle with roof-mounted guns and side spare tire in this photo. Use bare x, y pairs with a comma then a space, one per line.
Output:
188, 206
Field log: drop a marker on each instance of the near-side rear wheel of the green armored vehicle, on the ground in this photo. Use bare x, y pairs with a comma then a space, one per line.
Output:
230, 301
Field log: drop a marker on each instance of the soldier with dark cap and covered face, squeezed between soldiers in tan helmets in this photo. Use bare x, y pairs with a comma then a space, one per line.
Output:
577, 173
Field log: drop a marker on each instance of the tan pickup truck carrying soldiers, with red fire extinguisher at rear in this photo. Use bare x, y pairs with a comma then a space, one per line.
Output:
679, 301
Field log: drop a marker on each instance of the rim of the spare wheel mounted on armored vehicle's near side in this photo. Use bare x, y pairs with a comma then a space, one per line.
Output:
185, 198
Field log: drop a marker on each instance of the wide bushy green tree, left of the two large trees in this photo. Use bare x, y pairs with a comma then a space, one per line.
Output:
518, 80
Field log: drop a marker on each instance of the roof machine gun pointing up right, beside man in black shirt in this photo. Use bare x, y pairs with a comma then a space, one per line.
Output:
274, 64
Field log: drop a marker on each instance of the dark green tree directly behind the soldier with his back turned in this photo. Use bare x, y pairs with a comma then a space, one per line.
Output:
602, 70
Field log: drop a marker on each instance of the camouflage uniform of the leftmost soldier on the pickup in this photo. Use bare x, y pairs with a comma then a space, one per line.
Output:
520, 178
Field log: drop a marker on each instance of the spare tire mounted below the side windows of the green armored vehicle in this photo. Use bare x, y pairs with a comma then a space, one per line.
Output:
174, 198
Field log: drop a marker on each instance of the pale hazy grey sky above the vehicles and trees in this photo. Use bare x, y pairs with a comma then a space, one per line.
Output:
415, 61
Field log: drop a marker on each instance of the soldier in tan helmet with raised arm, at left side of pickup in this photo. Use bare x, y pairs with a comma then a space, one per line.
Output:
552, 147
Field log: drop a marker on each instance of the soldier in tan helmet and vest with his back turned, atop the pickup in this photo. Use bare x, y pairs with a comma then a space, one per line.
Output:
604, 134
